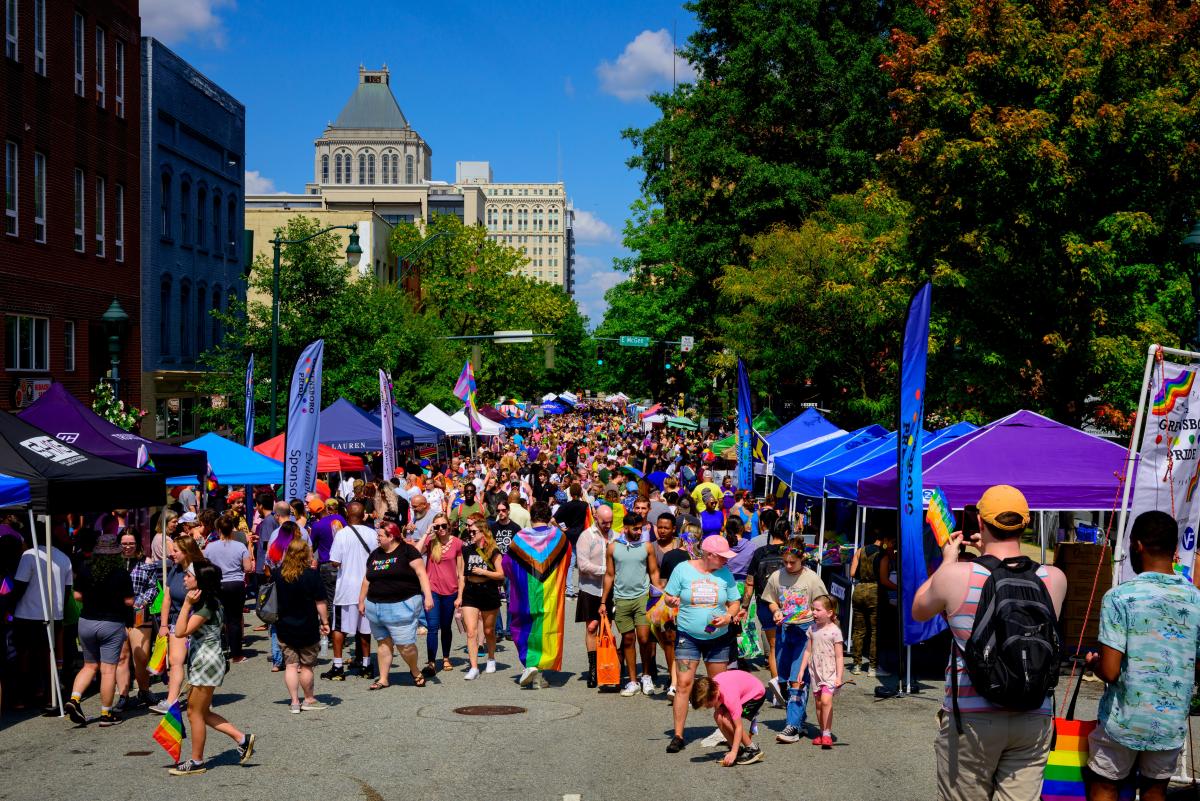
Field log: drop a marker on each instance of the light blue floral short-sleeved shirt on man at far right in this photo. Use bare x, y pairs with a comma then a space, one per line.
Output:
1155, 622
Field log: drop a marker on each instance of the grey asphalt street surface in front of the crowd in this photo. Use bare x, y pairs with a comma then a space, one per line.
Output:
407, 743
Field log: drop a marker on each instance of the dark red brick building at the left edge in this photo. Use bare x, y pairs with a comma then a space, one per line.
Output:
69, 240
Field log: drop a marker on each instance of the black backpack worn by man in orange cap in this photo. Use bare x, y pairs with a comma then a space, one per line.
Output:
1015, 649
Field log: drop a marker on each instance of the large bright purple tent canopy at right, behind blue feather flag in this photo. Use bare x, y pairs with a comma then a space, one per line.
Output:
1055, 466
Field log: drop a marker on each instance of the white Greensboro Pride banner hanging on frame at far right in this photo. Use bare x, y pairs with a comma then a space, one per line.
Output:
1168, 469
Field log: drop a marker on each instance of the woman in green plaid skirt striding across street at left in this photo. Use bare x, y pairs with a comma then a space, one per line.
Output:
200, 624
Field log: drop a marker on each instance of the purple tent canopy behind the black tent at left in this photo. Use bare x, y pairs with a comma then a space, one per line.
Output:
62, 415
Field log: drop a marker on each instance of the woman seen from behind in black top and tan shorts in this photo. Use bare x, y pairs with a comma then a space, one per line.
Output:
304, 619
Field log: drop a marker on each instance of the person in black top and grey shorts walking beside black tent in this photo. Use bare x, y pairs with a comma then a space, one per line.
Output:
104, 587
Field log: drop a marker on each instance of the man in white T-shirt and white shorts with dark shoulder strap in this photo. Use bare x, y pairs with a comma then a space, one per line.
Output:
349, 555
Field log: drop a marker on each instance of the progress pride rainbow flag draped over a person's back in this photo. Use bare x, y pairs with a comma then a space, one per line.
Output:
537, 565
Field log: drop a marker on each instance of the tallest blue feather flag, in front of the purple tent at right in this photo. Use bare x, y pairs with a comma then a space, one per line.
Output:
914, 570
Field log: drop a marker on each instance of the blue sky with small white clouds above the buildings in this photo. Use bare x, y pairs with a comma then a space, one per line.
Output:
541, 91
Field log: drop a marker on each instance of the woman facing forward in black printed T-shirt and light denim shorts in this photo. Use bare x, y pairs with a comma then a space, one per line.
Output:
392, 599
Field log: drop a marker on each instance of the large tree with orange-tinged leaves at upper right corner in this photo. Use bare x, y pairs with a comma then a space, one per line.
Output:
1051, 153
